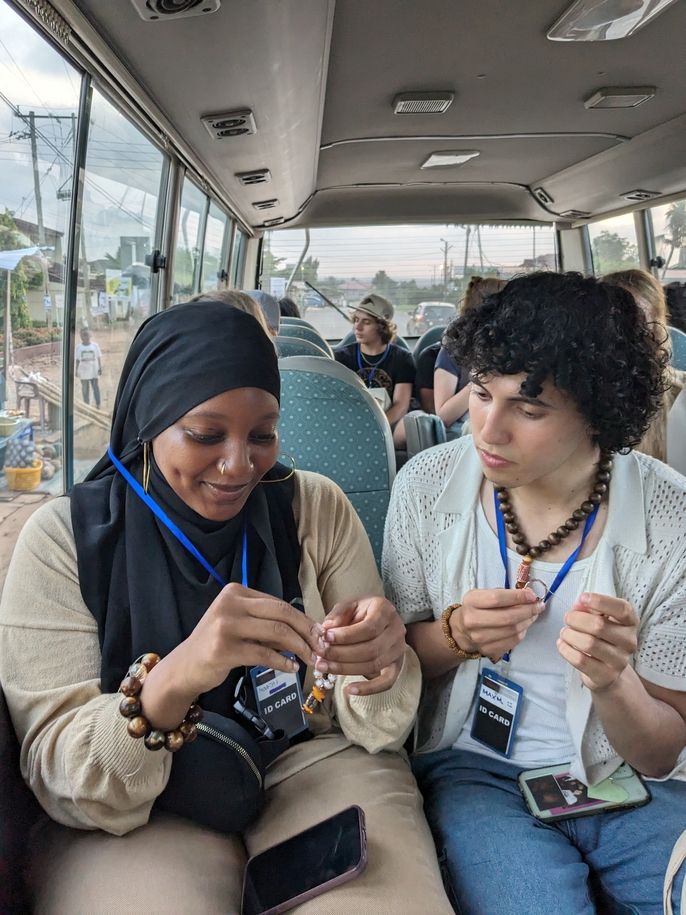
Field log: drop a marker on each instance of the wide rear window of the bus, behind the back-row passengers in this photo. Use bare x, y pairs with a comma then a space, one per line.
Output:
409, 265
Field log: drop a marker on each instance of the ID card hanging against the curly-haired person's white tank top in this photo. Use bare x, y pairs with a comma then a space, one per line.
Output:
497, 710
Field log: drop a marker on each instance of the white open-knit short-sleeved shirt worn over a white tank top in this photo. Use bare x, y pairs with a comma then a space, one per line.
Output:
429, 561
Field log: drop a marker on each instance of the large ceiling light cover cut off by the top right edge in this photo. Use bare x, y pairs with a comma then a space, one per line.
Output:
605, 20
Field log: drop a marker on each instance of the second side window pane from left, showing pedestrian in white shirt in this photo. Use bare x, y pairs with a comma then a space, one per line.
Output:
122, 186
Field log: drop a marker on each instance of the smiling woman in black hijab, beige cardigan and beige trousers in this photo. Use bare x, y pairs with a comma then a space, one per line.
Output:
104, 577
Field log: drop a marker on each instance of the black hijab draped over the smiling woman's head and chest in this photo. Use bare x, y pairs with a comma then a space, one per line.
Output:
146, 592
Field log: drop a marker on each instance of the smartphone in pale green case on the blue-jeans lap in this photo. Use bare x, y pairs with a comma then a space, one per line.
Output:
552, 793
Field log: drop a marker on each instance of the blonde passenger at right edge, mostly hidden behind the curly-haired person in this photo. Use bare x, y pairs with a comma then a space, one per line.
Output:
650, 298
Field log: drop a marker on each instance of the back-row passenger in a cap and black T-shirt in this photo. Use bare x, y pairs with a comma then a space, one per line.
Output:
387, 370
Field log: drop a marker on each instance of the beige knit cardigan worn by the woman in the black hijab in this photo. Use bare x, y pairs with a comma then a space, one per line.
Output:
75, 753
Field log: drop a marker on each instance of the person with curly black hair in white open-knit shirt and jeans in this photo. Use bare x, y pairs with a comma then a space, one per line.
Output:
543, 555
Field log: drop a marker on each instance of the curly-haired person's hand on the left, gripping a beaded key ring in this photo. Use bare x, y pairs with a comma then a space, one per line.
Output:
493, 620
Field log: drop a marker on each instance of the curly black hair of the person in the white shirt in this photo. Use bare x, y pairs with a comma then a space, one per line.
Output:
590, 338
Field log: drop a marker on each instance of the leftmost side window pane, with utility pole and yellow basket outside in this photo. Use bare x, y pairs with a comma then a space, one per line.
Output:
38, 123
